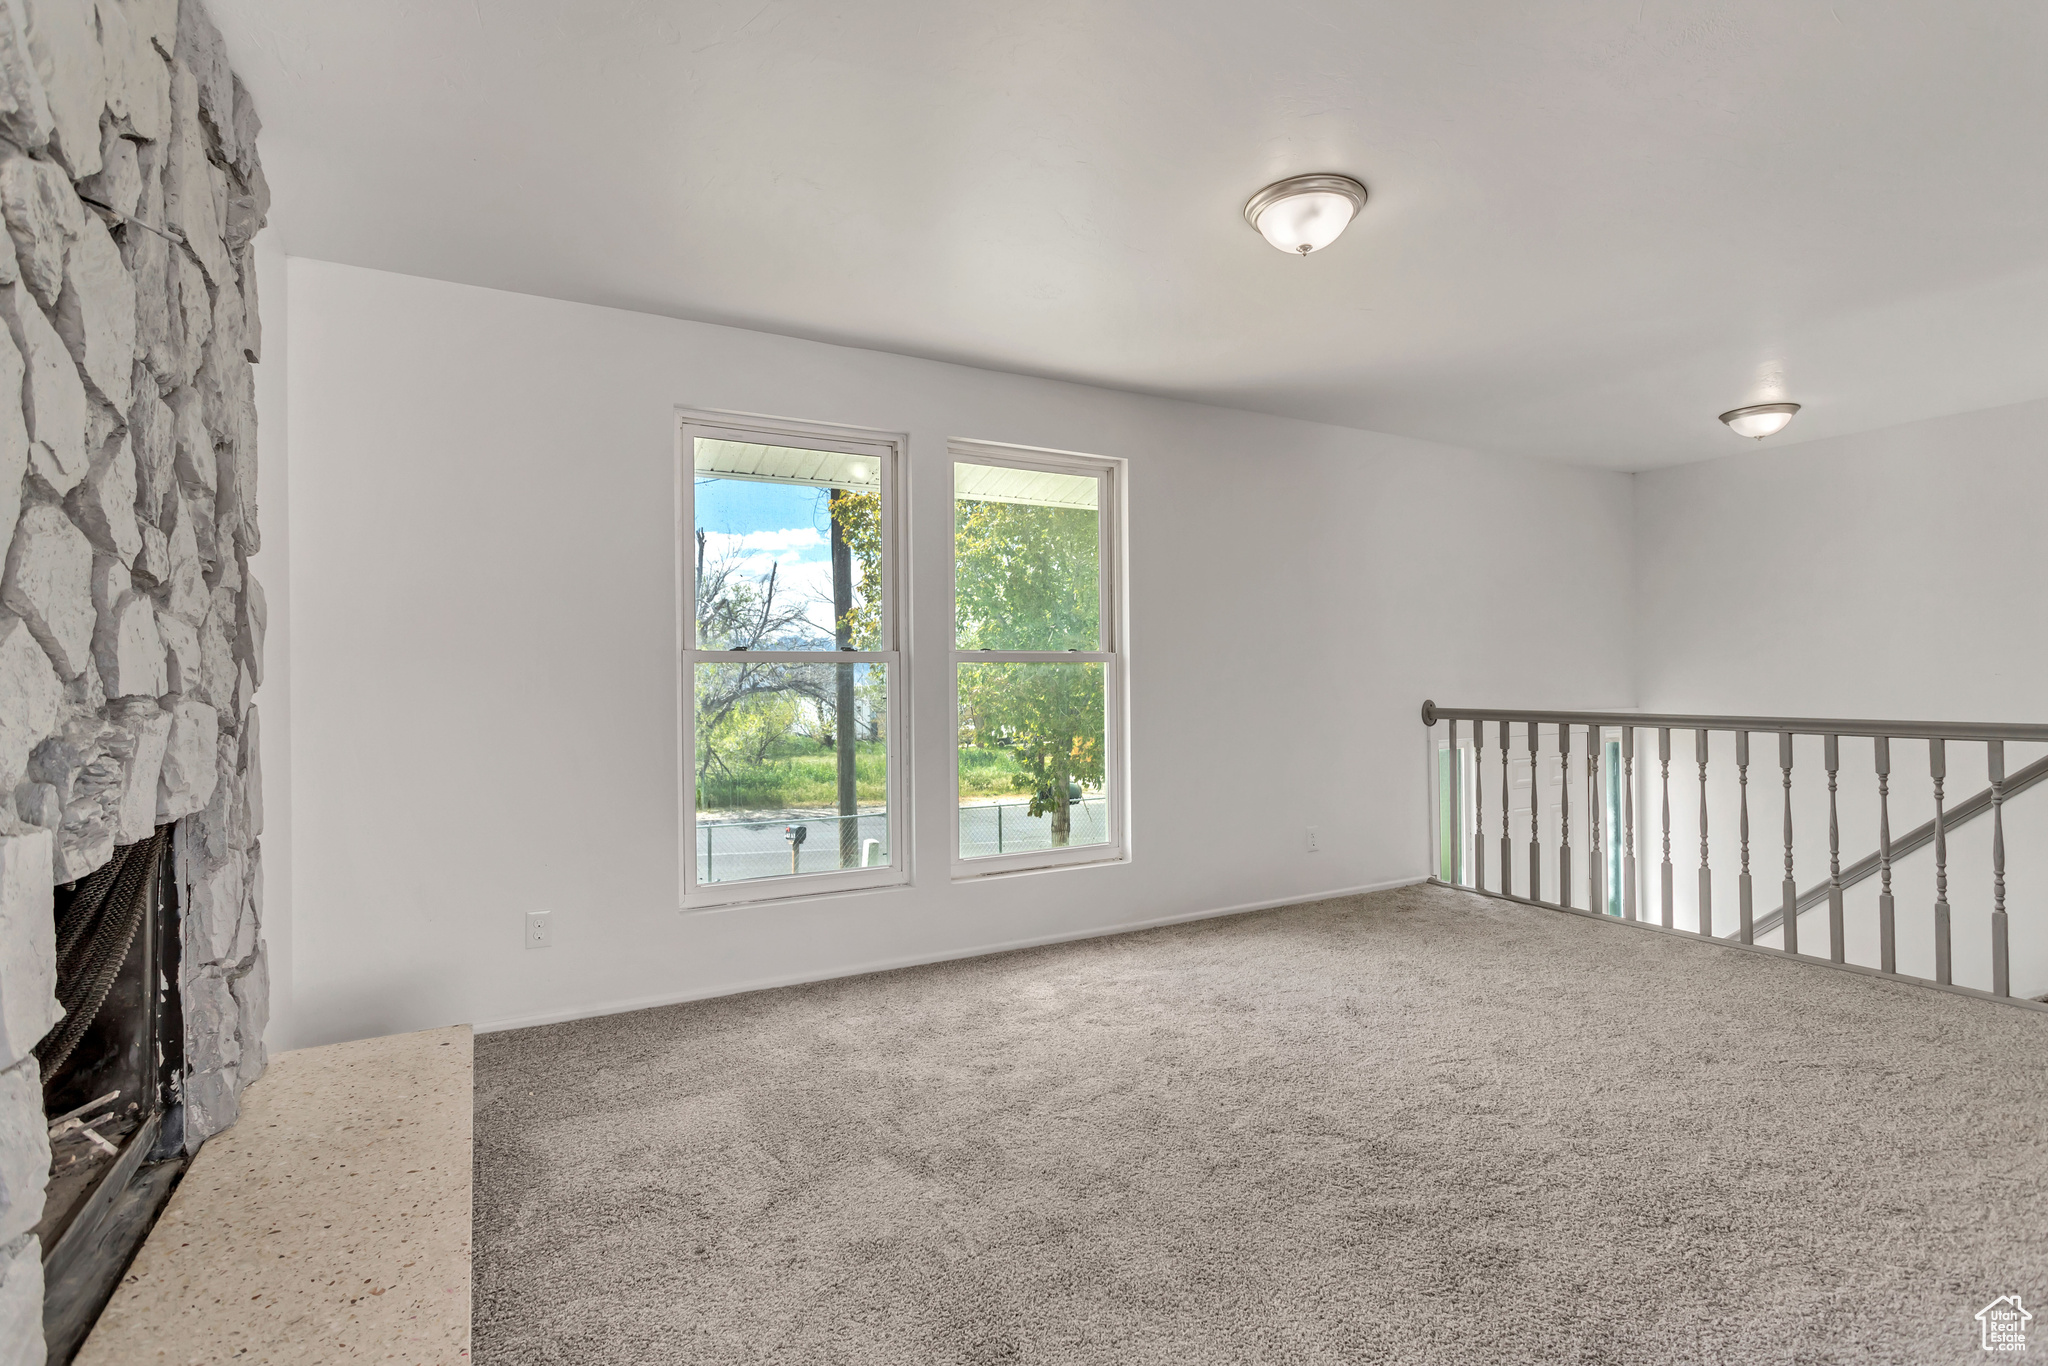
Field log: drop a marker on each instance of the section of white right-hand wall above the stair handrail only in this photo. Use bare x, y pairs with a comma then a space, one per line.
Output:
1879, 574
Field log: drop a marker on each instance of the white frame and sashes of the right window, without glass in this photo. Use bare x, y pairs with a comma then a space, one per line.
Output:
1115, 656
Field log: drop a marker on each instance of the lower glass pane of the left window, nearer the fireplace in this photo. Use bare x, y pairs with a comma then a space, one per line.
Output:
773, 761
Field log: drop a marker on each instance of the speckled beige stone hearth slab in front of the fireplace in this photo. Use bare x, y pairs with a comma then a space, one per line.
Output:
329, 1226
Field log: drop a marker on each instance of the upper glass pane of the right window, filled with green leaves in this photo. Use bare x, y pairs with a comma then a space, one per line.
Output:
1027, 554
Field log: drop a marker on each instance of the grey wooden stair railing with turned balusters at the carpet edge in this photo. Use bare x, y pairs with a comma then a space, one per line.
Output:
1523, 732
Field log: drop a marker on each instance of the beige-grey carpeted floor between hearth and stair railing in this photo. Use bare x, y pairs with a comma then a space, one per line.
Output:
1410, 1127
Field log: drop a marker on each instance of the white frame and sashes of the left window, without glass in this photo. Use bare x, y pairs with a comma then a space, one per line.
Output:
888, 452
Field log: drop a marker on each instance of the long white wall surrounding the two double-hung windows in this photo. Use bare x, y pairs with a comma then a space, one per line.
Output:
484, 652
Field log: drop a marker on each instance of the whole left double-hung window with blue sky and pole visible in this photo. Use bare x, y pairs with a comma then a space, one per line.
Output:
792, 658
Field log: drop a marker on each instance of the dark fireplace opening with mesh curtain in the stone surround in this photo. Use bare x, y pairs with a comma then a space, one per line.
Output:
112, 1074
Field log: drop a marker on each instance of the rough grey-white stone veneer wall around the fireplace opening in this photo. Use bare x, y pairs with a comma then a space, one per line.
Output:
130, 626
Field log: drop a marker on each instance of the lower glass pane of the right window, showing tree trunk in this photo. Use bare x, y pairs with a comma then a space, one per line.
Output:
1031, 759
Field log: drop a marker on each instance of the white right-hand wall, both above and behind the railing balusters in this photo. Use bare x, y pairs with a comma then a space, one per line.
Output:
1889, 574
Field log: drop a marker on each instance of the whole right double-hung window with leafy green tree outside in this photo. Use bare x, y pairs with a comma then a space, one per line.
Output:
1037, 658
